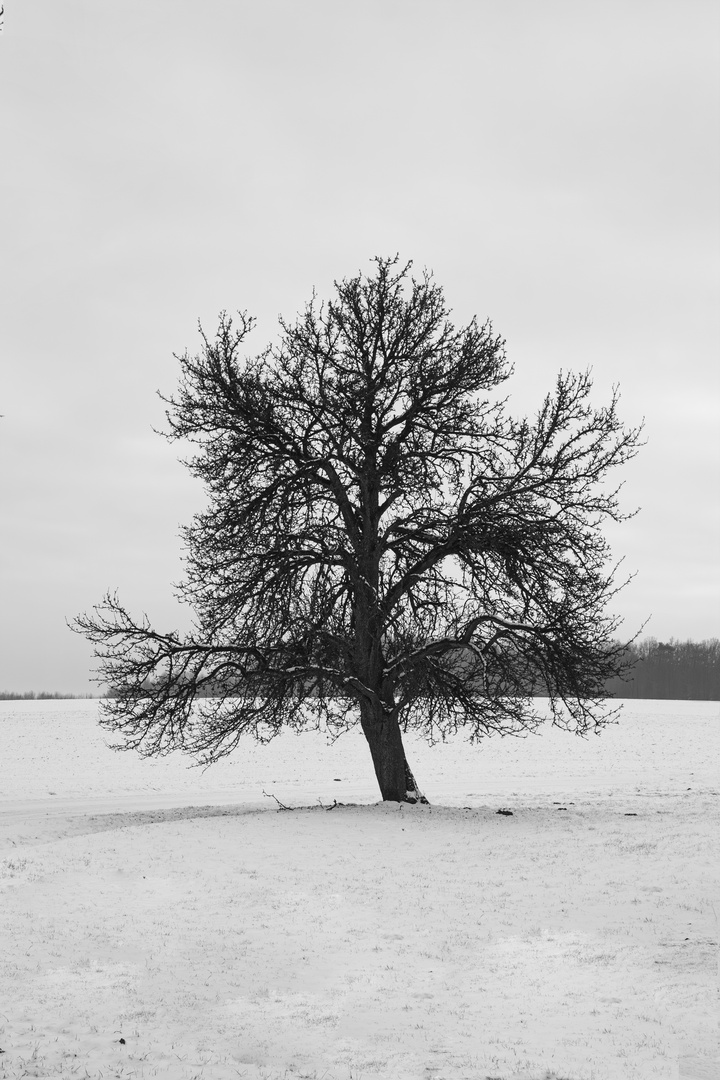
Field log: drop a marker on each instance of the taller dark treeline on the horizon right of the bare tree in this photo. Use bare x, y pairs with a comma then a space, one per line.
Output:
686, 671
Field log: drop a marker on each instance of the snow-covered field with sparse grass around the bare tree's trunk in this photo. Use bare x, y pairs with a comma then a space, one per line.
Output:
158, 922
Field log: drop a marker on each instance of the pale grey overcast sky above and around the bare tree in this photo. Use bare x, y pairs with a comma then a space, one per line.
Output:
556, 165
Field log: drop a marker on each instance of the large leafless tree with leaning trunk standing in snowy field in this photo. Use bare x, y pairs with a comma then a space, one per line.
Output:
383, 543
